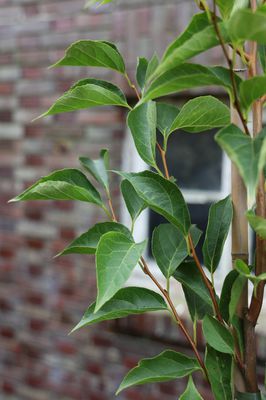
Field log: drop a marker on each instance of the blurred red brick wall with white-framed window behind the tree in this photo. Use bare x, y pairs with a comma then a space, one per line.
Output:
42, 298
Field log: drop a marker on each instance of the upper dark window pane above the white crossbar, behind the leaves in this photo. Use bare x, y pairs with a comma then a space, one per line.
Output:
195, 160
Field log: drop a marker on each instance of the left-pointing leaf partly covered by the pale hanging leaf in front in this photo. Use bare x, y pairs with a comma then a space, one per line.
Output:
88, 241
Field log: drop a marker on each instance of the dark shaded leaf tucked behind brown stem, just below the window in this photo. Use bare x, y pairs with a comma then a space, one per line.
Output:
197, 307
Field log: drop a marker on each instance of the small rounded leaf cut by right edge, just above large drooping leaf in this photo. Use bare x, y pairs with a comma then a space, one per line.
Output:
251, 90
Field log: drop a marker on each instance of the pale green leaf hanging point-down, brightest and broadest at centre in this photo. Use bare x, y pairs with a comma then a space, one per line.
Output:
116, 257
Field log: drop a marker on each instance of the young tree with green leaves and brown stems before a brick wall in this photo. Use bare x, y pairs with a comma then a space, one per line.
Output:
228, 320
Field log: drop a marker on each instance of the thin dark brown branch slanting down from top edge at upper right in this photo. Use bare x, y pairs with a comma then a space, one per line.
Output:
231, 69
